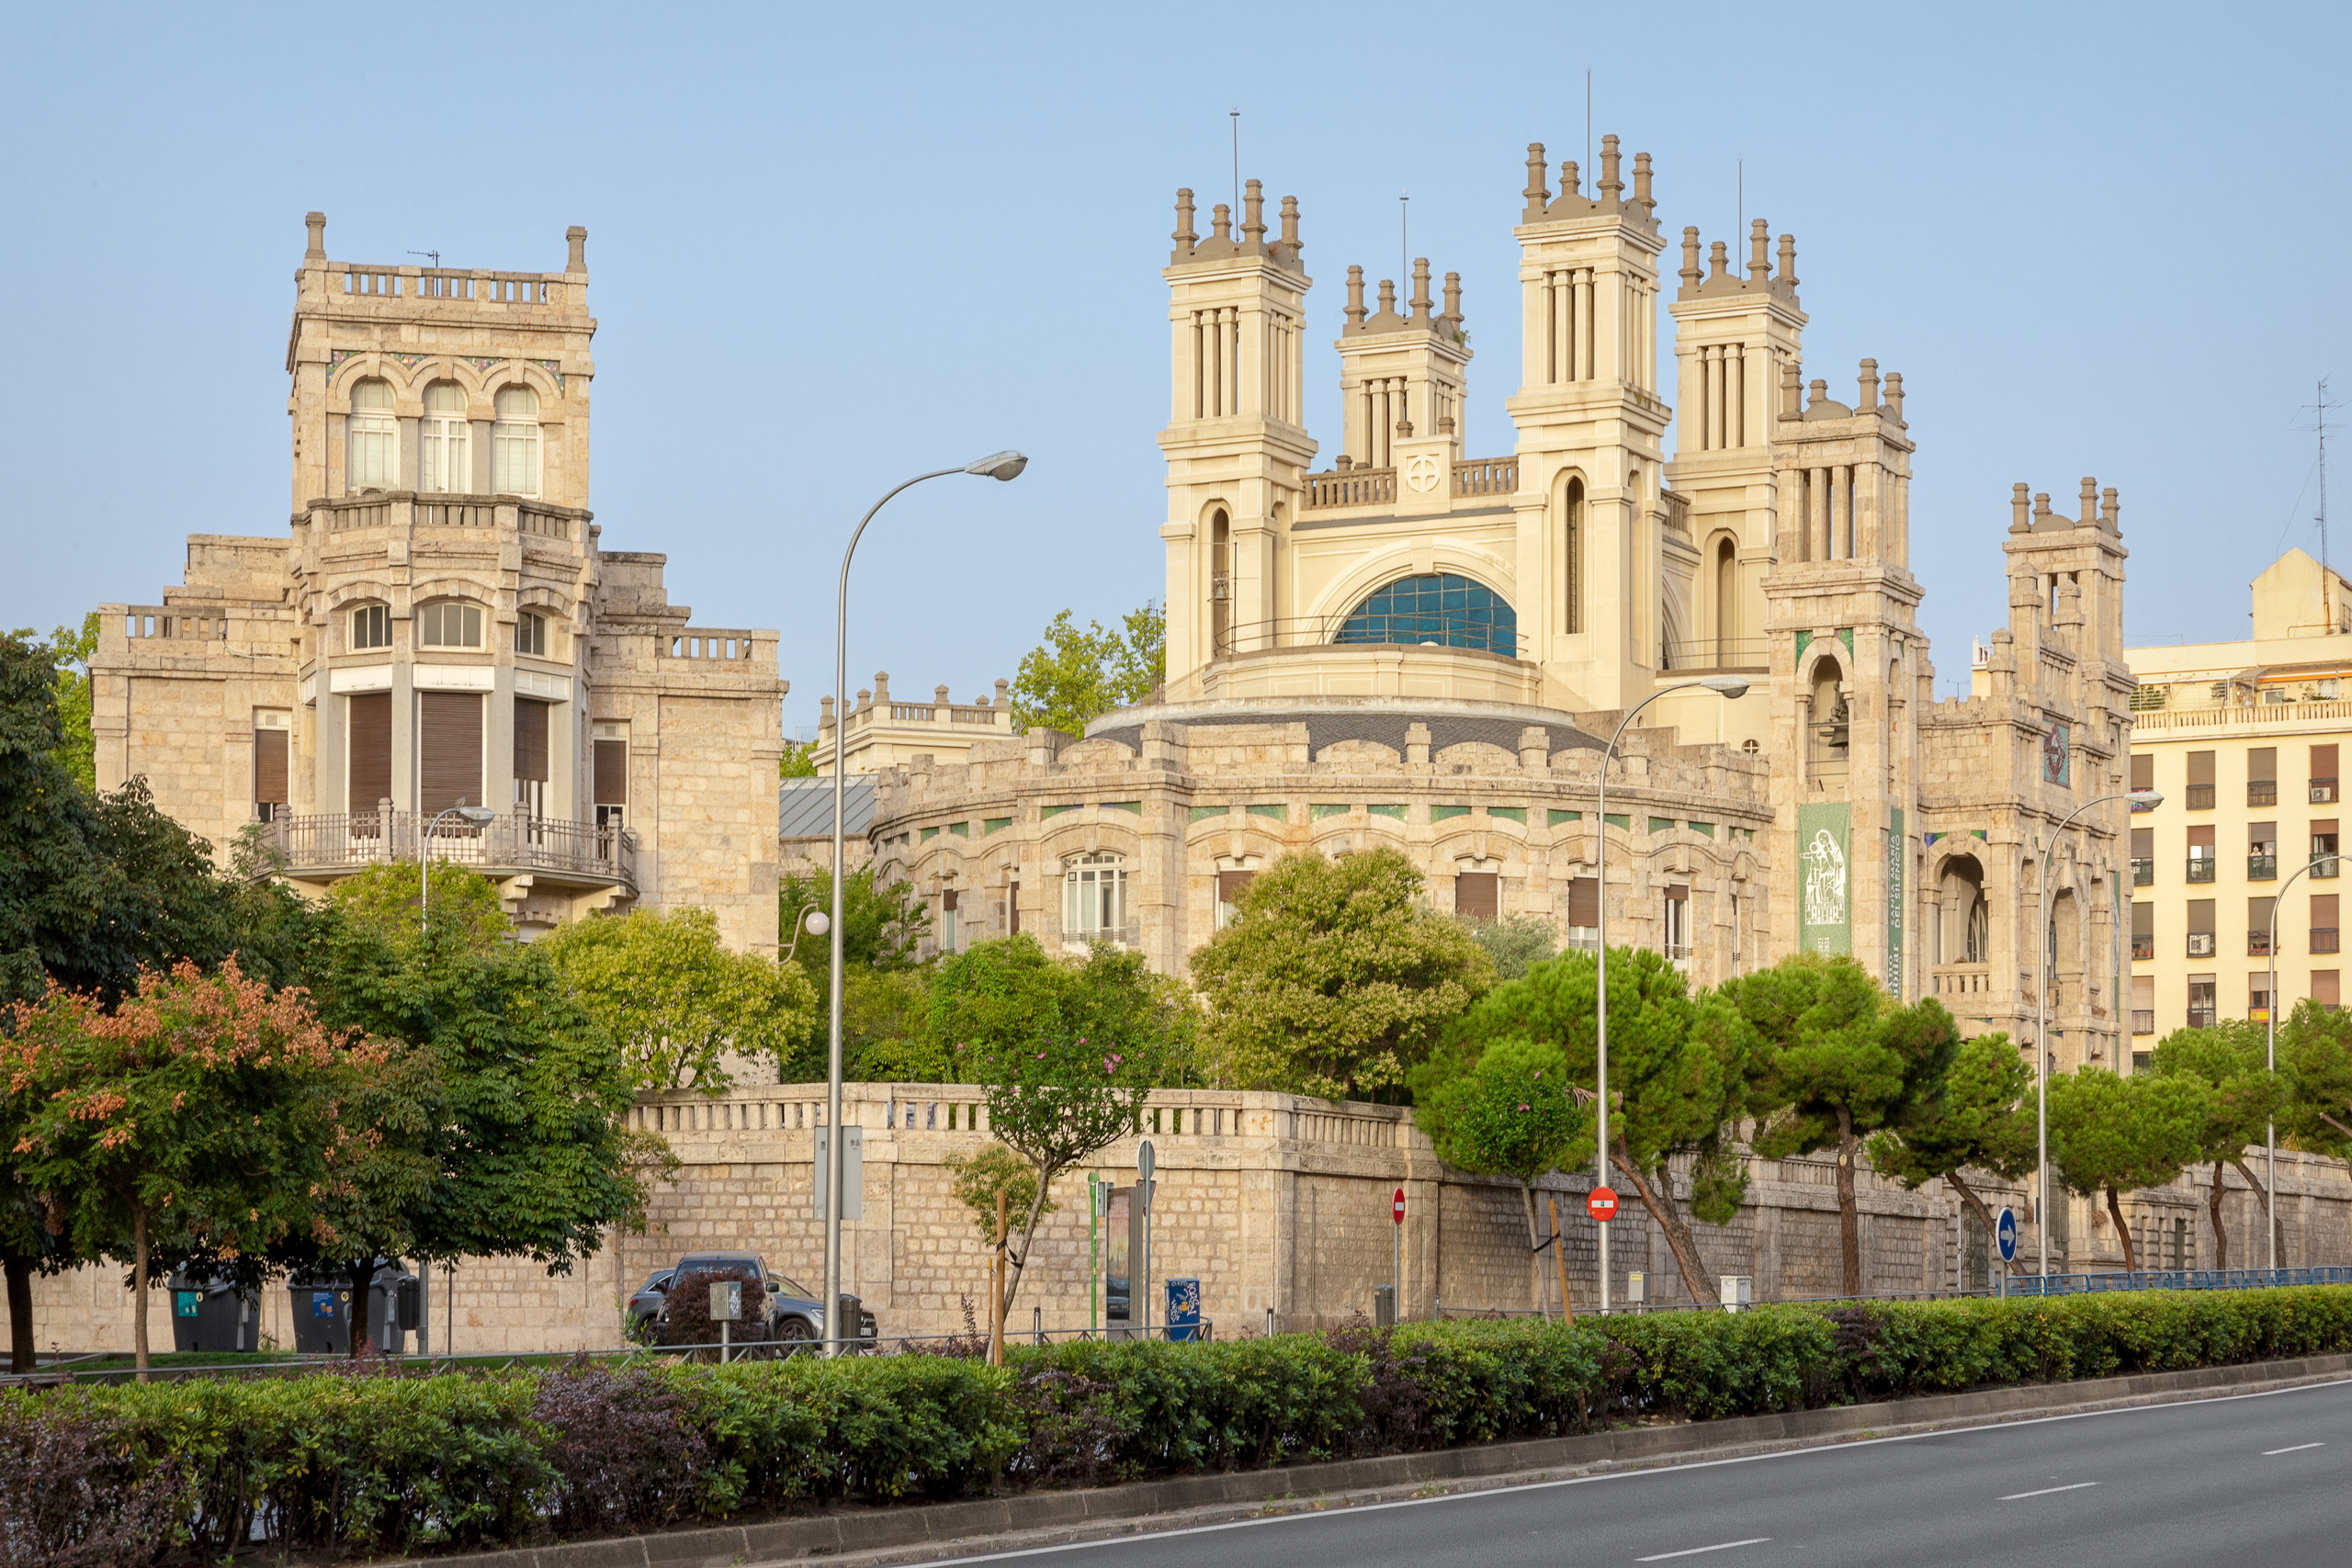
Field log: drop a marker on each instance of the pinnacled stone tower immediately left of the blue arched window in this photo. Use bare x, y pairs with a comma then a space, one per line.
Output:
1236, 441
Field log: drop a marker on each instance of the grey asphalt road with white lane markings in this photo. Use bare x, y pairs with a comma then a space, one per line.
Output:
2259, 1480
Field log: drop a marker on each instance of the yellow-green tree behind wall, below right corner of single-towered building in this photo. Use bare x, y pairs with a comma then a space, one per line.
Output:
669, 991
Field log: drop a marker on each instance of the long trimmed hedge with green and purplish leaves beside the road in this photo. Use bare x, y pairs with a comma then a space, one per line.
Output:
375, 1461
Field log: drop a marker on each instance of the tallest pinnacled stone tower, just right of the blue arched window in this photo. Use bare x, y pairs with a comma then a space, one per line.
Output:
1591, 424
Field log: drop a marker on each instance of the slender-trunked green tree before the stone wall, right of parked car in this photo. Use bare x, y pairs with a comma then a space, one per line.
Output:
1064, 1050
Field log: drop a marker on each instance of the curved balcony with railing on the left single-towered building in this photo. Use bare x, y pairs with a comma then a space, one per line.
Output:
509, 845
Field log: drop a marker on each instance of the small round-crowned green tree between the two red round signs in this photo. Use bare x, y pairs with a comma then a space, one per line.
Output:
1506, 1113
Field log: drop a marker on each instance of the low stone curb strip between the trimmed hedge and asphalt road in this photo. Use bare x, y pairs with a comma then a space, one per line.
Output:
874, 1536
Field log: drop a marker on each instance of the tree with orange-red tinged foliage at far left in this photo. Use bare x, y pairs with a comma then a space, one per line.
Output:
201, 1113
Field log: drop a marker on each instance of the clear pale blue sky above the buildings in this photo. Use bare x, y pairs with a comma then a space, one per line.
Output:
836, 246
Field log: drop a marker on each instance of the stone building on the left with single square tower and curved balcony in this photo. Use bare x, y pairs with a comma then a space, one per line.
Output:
441, 626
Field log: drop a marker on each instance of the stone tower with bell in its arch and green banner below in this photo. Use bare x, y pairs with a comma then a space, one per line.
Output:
1847, 676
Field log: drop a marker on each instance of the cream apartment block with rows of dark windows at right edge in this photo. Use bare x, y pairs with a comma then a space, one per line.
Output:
2243, 739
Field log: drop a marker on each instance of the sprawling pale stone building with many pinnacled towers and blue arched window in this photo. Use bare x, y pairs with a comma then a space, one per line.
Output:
1429, 650
